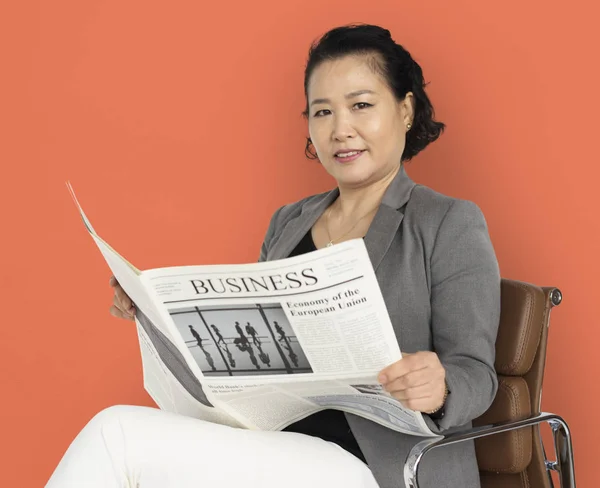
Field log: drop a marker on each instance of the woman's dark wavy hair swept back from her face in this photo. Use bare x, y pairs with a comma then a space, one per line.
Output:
390, 60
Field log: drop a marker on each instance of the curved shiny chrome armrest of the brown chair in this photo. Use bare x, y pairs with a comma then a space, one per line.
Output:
562, 444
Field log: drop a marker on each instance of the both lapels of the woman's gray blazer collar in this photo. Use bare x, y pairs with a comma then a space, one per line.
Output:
380, 235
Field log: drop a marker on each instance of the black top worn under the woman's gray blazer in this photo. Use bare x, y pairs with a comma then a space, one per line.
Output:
330, 425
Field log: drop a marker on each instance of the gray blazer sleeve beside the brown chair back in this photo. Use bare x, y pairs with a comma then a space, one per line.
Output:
465, 304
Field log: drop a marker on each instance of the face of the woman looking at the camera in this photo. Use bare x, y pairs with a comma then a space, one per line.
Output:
351, 108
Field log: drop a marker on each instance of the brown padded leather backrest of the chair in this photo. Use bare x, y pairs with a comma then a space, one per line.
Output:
516, 458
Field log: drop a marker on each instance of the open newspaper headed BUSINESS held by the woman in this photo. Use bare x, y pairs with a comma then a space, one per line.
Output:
264, 345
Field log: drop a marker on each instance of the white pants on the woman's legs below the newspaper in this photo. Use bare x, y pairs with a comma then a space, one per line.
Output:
141, 447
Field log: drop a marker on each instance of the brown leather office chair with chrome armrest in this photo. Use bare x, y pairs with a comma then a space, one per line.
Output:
510, 453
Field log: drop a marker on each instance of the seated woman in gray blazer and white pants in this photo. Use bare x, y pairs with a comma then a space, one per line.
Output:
367, 114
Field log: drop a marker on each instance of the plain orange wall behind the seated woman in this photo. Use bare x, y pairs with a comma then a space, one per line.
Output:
179, 125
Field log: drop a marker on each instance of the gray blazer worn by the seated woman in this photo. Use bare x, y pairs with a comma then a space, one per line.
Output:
439, 276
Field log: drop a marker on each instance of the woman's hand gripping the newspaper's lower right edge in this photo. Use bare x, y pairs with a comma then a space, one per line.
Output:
417, 380
